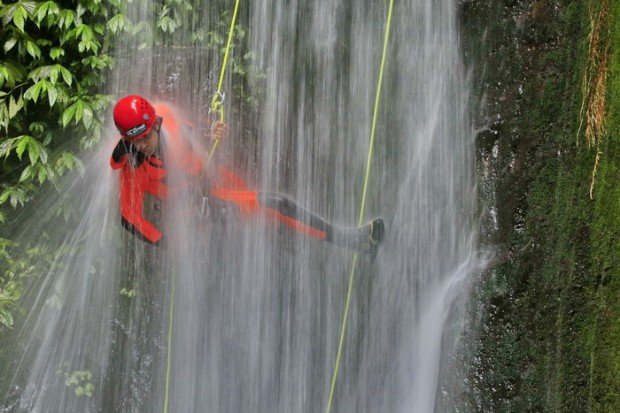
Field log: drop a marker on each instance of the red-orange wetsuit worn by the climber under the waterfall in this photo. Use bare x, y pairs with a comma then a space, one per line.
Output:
141, 175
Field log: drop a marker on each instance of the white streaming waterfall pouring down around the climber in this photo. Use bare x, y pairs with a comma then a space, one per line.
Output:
257, 311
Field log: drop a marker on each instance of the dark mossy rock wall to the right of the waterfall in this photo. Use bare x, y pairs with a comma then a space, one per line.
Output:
548, 316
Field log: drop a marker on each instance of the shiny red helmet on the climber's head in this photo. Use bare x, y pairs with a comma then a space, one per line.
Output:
134, 117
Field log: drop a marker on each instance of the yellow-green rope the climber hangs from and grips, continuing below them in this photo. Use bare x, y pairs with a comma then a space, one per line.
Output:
217, 106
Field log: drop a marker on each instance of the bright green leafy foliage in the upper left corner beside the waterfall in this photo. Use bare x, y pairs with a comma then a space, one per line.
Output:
54, 62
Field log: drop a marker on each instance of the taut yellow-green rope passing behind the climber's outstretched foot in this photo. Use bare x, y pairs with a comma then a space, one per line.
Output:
363, 204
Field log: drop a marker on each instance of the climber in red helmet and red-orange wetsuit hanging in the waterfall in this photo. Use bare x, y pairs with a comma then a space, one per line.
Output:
148, 132
